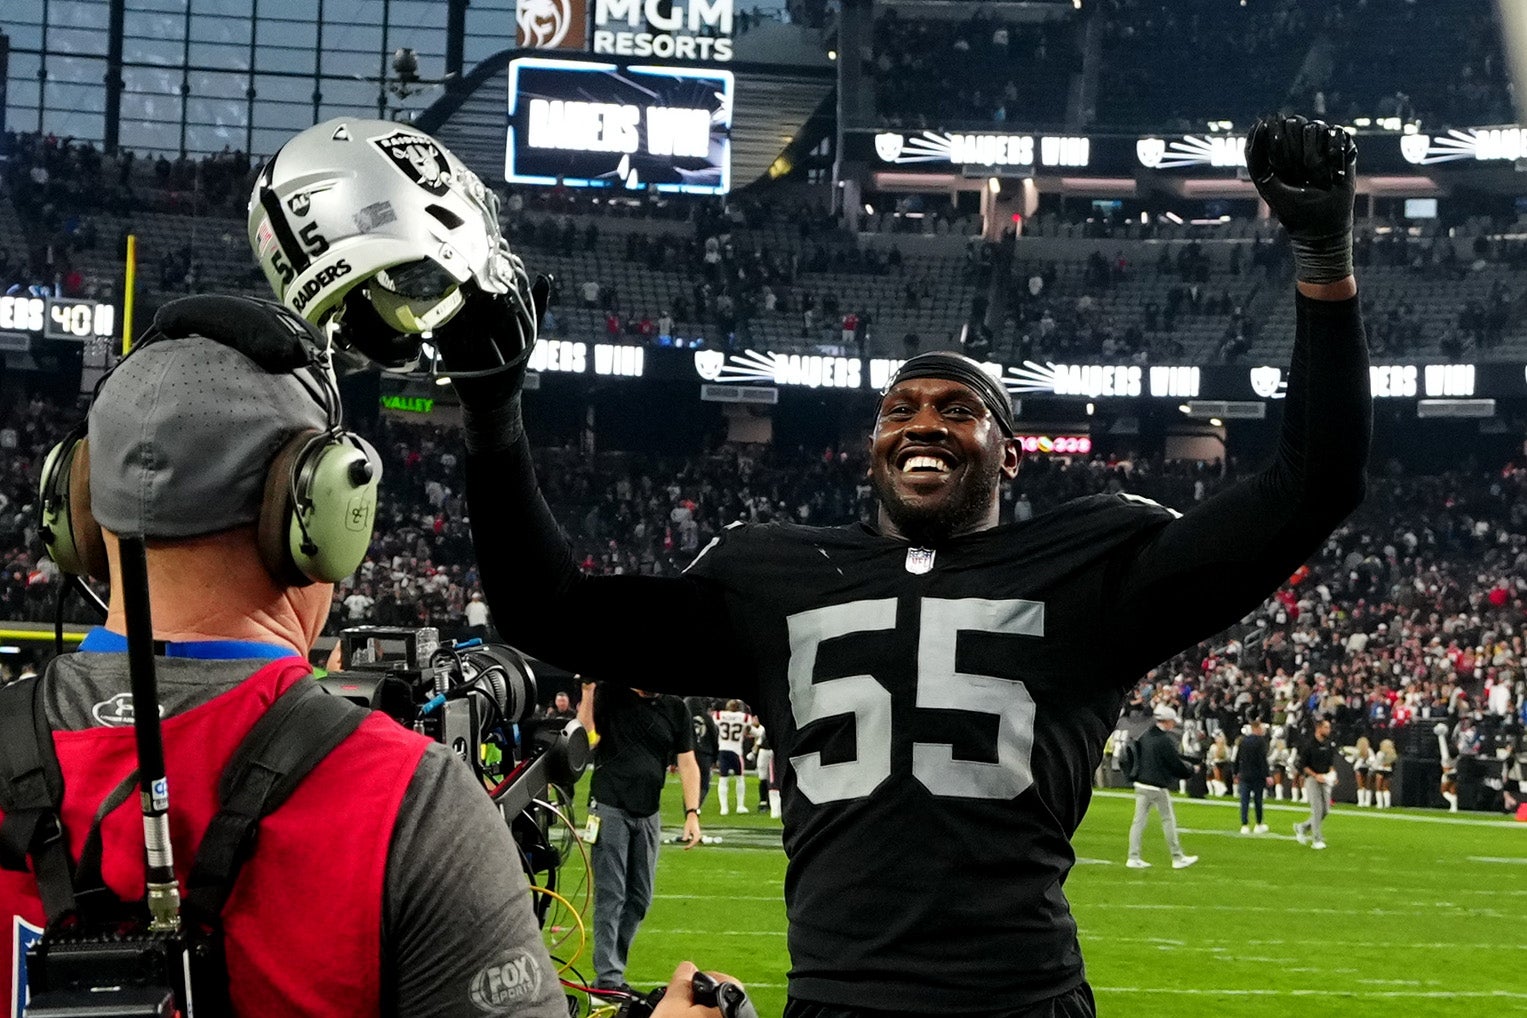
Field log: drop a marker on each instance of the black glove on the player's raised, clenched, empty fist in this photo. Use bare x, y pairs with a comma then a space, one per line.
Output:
1306, 173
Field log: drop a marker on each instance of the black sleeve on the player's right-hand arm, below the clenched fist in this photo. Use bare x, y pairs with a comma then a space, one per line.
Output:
1207, 570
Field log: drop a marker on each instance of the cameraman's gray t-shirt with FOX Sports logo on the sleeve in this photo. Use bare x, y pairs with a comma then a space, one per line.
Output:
457, 930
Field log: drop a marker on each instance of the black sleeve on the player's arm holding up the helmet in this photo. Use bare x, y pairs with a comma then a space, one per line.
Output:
674, 631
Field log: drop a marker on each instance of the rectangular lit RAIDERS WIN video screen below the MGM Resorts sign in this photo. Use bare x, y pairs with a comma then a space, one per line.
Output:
610, 126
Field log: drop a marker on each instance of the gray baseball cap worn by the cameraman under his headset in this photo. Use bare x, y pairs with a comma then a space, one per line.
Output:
182, 436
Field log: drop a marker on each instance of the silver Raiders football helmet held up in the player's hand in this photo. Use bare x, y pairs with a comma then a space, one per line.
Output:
378, 205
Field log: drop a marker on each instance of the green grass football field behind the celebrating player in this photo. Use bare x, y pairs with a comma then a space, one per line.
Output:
1406, 913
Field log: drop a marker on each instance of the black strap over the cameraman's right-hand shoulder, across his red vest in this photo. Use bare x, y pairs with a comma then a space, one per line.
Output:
283, 749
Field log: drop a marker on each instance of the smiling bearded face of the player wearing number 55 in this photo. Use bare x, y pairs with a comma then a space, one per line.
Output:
937, 459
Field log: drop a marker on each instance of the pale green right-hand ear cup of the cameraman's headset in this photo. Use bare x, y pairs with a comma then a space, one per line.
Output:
321, 535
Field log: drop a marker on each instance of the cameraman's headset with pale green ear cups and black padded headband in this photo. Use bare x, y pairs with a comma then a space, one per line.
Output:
321, 488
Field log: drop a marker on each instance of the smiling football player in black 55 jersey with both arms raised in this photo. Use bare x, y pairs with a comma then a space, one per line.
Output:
935, 685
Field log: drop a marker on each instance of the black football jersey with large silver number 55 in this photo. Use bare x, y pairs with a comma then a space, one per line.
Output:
941, 714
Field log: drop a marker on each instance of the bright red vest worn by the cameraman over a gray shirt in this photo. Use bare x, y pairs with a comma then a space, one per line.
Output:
305, 923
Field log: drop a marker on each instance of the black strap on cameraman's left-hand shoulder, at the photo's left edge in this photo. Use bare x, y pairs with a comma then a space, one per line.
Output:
33, 797
